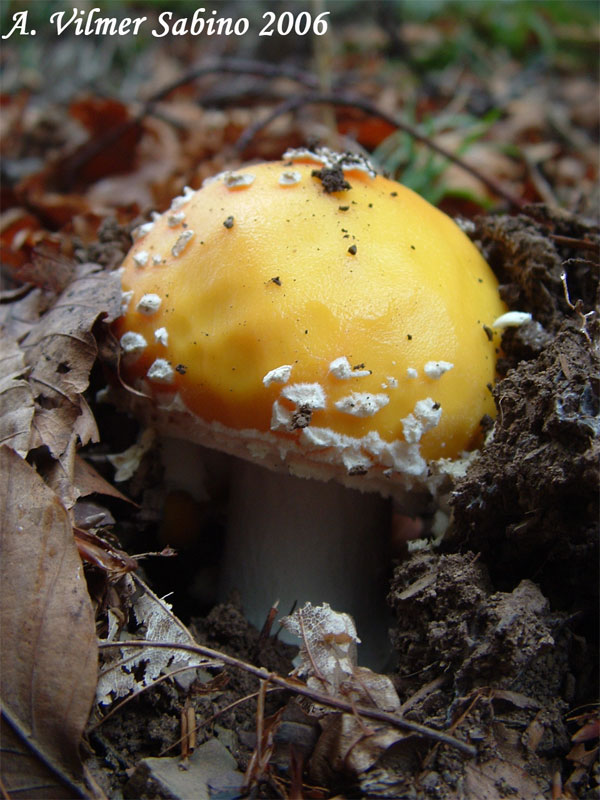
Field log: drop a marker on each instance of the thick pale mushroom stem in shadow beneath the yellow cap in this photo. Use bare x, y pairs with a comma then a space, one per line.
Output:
298, 539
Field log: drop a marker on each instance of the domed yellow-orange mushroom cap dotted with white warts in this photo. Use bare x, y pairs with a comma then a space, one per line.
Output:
284, 314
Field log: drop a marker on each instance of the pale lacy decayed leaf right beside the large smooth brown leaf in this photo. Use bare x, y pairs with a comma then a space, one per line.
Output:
125, 671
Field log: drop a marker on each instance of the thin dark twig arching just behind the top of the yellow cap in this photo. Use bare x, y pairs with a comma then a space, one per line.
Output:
317, 98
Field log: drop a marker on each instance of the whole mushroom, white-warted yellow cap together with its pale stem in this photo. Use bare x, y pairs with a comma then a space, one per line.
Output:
331, 330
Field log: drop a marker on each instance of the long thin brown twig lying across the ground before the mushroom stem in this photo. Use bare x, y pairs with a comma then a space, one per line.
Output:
305, 691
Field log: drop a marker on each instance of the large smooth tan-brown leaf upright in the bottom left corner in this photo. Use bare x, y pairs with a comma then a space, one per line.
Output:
49, 652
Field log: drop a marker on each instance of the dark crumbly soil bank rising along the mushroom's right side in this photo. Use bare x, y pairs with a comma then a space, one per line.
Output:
497, 632
